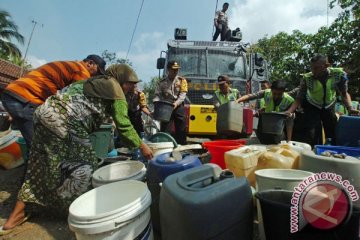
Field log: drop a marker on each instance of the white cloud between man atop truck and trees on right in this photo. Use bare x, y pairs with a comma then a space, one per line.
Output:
257, 18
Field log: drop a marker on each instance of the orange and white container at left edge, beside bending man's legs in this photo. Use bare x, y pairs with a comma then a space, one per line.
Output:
10, 153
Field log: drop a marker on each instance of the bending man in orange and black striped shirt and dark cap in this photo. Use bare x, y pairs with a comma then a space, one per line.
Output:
21, 97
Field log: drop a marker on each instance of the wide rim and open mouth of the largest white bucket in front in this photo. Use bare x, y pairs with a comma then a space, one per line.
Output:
106, 207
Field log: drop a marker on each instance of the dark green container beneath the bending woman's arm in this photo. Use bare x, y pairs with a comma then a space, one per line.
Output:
100, 140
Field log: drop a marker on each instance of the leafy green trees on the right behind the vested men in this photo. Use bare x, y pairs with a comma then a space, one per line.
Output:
289, 54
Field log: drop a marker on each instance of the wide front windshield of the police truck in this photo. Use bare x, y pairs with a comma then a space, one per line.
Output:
194, 63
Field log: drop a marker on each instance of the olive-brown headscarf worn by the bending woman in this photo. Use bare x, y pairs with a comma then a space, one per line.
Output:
108, 86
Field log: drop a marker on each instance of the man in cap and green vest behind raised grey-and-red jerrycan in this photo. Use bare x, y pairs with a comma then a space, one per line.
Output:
224, 94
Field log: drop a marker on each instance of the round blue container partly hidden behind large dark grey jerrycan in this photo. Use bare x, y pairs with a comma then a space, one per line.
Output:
158, 170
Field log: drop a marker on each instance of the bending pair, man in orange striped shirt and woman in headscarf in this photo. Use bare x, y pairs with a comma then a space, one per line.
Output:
56, 107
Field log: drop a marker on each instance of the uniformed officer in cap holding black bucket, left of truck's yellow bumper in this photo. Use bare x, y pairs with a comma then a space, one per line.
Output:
173, 88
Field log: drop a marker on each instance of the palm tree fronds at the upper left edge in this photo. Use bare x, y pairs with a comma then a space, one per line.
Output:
9, 31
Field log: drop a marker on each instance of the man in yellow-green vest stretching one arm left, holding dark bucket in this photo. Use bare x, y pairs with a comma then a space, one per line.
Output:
275, 100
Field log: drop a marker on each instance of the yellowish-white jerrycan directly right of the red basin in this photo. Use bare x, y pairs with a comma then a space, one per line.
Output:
243, 161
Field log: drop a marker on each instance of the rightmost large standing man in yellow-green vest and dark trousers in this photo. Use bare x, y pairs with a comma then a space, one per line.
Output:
317, 95
